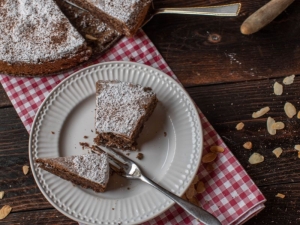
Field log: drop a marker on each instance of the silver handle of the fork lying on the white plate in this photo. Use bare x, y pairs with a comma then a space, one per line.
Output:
199, 213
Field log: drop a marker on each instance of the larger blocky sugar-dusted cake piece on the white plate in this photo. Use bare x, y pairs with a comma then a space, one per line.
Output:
121, 111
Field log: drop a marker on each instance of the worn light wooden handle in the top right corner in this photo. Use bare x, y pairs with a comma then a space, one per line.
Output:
264, 16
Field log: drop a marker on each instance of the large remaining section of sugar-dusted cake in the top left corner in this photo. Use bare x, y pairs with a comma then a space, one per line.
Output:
37, 39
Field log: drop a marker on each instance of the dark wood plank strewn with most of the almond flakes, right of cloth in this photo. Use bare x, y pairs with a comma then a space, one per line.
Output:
228, 104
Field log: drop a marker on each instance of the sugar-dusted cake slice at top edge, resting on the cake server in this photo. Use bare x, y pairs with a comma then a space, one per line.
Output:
125, 16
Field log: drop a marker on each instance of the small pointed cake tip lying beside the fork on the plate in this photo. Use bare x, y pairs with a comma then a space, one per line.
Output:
88, 170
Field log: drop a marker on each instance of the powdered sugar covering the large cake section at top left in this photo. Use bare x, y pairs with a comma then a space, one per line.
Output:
35, 31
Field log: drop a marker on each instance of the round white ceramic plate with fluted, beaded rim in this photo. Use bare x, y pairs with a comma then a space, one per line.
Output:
171, 142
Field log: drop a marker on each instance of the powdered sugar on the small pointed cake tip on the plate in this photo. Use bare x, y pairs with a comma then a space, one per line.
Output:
93, 167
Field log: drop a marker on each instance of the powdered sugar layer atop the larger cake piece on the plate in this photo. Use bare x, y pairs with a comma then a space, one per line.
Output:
120, 106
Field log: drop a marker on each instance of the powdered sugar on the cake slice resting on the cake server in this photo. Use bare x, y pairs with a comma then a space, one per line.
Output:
124, 10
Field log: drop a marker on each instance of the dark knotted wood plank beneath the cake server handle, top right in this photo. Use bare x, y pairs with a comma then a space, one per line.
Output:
184, 43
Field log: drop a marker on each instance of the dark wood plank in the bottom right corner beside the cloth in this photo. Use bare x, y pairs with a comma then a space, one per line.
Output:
279, 211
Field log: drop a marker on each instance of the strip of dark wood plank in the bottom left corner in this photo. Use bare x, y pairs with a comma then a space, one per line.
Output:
38, 217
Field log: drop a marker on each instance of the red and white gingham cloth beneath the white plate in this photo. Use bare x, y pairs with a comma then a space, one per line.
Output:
230, 193
